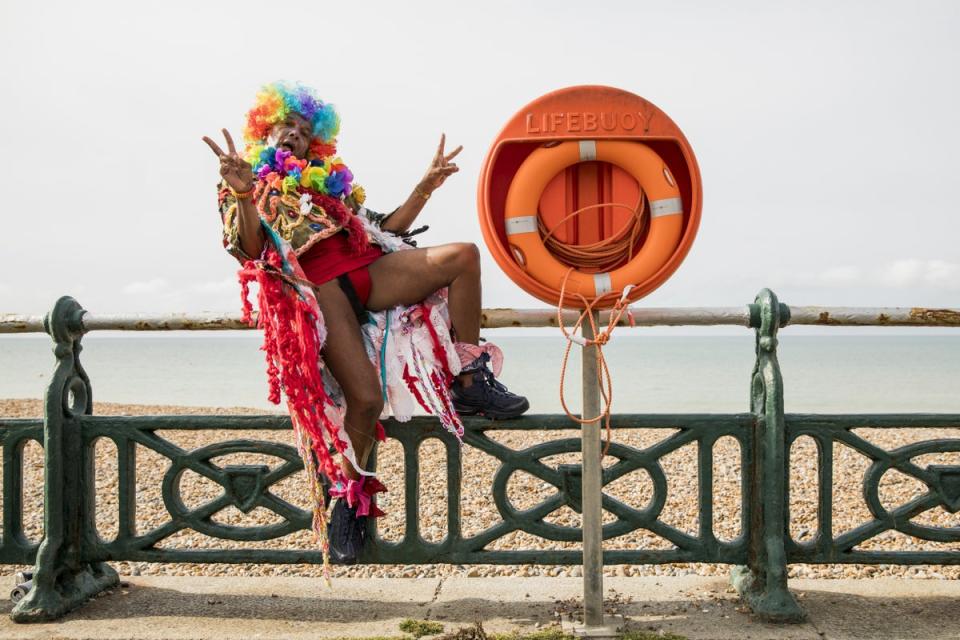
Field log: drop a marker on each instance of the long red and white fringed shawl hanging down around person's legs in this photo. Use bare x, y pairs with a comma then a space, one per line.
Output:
410, 347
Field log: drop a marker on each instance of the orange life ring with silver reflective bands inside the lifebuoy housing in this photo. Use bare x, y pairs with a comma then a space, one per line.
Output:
637, 159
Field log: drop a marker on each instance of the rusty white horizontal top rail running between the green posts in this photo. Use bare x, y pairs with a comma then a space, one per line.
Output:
745, 316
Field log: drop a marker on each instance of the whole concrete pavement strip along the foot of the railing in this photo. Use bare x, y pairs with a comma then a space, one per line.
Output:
227, 608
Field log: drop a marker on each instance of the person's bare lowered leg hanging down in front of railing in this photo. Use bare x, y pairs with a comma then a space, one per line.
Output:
344, 353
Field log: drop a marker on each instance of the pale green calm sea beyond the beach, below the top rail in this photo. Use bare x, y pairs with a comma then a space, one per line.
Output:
830, 372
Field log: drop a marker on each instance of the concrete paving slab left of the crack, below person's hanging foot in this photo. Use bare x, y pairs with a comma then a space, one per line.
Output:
229, 608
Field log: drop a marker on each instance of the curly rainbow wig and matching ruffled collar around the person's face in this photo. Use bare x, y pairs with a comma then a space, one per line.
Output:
320, 171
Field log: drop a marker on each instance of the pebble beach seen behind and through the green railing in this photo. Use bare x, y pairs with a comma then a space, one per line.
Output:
478, 510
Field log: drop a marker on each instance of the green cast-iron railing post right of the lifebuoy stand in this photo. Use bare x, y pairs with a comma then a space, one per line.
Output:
763, 582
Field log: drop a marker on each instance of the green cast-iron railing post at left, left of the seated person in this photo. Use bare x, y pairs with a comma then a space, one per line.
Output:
62, 580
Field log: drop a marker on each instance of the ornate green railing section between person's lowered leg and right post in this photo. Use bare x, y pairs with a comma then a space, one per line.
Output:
704, 430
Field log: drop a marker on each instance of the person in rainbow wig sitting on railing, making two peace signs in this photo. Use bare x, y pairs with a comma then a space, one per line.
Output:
289, 192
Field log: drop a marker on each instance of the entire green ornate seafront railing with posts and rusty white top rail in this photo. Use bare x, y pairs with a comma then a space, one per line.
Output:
71, 561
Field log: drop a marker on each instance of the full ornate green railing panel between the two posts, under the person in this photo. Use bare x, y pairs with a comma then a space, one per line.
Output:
248, 486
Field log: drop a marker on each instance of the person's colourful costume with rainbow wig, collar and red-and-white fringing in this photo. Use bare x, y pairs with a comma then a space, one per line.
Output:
301, 204
